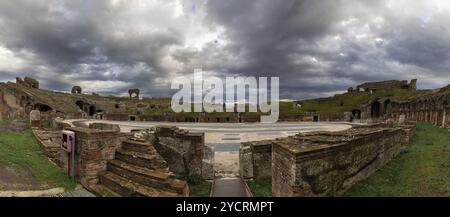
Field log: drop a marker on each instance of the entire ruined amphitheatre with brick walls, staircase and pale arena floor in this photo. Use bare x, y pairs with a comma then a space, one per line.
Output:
132, 146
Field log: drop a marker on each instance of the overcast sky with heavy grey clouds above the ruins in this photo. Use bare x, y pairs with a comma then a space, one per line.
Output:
317, 48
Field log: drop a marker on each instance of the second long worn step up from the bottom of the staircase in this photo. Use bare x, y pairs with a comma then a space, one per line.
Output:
159, 179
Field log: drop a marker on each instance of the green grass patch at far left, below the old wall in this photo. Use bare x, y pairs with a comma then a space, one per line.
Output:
22, 149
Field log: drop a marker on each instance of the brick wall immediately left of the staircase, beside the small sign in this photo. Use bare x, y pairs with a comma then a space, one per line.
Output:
93, 149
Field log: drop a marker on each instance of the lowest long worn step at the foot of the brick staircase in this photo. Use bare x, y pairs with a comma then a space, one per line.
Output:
128, 188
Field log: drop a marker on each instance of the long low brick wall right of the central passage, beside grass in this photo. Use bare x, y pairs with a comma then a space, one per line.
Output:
328, 164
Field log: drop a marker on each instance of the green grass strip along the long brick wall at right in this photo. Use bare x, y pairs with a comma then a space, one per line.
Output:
423, 169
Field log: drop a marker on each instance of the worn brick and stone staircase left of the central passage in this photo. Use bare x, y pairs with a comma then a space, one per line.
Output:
138, 171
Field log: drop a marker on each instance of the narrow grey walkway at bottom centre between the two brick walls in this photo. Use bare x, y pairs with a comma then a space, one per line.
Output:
229, 187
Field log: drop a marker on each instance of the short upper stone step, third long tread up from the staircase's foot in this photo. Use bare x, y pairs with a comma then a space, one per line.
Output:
150, 161
